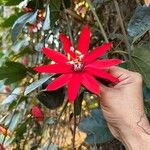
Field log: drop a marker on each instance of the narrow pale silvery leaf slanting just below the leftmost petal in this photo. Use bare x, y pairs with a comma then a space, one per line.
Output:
35, 85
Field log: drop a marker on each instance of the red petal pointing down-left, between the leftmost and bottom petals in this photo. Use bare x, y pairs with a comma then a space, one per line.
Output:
59, 82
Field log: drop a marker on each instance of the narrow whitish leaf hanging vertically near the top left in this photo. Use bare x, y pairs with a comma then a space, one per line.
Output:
47, 23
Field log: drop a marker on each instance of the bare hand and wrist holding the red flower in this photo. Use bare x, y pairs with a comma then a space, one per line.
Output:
123, 109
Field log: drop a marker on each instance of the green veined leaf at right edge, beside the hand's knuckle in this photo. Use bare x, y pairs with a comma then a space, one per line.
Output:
141, 62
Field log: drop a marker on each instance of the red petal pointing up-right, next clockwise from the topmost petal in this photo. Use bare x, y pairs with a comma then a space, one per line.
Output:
97, 52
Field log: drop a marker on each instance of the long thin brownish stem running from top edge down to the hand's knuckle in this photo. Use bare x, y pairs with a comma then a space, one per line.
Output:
123, 31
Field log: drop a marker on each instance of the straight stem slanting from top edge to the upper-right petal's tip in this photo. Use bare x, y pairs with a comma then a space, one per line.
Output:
98, 21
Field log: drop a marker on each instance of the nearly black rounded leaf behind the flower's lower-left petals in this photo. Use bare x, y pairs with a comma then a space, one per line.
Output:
52, 99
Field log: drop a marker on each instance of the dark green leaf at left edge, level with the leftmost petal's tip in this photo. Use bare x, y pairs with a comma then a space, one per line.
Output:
12, 72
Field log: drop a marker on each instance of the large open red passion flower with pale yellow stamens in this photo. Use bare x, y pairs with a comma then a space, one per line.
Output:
78, 67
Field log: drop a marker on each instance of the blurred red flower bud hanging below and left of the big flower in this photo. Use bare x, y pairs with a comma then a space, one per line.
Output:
37, 113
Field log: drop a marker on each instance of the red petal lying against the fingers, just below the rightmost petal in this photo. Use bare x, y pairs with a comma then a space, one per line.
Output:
102, 74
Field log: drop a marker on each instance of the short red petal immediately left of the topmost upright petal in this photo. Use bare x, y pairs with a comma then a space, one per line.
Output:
66, 44
